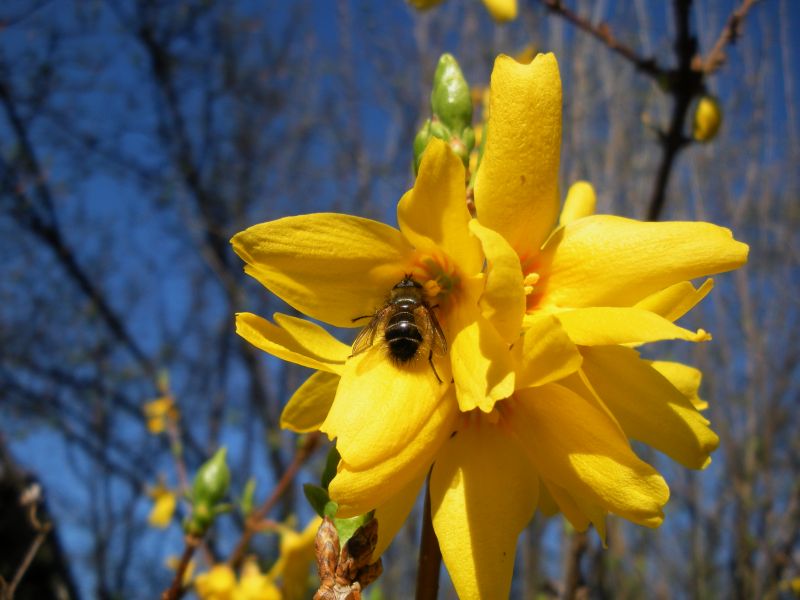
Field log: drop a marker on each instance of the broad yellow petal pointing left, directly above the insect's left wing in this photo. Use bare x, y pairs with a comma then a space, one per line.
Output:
328, 266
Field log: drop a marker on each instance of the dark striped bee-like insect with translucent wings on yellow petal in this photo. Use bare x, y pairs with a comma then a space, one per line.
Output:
407, 324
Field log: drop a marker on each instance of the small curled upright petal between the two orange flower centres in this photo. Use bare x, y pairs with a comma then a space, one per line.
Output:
503, 299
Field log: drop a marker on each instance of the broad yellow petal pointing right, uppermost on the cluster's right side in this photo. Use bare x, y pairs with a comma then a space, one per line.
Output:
604, 260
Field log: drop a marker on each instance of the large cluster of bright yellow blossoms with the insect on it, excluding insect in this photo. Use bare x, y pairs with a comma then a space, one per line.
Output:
542, 388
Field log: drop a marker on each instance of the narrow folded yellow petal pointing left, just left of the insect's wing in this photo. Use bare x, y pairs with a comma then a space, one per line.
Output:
296, 340
